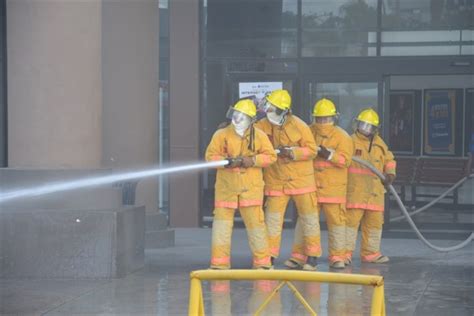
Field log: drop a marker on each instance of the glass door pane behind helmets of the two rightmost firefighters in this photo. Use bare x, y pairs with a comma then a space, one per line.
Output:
350, 98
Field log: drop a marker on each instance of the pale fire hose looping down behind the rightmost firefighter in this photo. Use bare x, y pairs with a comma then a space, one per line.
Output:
407, 215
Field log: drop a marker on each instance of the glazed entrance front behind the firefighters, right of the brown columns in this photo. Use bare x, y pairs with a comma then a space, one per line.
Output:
412, 61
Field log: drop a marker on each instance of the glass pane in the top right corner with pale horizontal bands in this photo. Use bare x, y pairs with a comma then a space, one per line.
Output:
427, 27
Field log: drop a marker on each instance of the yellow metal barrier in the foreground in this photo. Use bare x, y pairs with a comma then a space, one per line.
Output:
196, 302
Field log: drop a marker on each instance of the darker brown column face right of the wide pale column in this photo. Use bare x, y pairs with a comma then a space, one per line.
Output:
130, 59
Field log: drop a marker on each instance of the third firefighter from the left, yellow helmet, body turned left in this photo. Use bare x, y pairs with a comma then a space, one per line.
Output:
330, 170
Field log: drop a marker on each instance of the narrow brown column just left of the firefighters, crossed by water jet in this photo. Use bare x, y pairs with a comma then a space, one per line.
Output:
184, 109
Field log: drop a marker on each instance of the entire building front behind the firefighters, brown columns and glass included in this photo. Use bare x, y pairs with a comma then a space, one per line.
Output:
411, 60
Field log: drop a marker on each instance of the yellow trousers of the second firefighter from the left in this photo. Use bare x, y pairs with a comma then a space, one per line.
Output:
307, 208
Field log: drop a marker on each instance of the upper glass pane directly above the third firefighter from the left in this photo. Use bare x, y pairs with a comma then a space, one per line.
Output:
339, 28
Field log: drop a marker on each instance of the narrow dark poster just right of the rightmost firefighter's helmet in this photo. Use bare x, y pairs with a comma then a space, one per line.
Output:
402, 114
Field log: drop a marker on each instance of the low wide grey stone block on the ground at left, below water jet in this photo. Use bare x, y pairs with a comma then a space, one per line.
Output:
72, 244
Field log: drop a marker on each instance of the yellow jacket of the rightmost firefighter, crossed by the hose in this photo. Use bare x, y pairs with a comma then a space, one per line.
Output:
365, 190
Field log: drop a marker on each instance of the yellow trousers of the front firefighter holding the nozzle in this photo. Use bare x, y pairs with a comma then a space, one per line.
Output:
222, 226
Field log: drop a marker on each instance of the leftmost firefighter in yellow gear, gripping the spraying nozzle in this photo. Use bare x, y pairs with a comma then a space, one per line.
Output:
240, 184
